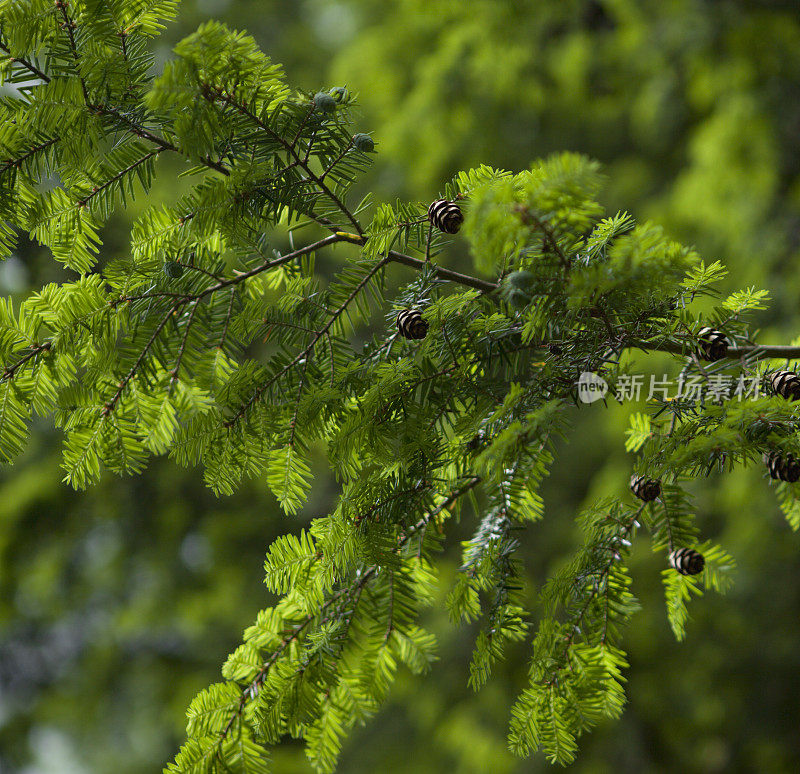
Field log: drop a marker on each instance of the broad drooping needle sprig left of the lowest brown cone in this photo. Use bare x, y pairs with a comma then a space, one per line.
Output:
576, 669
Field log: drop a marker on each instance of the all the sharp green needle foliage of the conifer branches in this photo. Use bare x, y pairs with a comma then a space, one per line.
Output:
210, 346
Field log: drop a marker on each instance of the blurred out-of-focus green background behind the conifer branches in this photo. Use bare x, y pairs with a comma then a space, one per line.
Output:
117, 605
